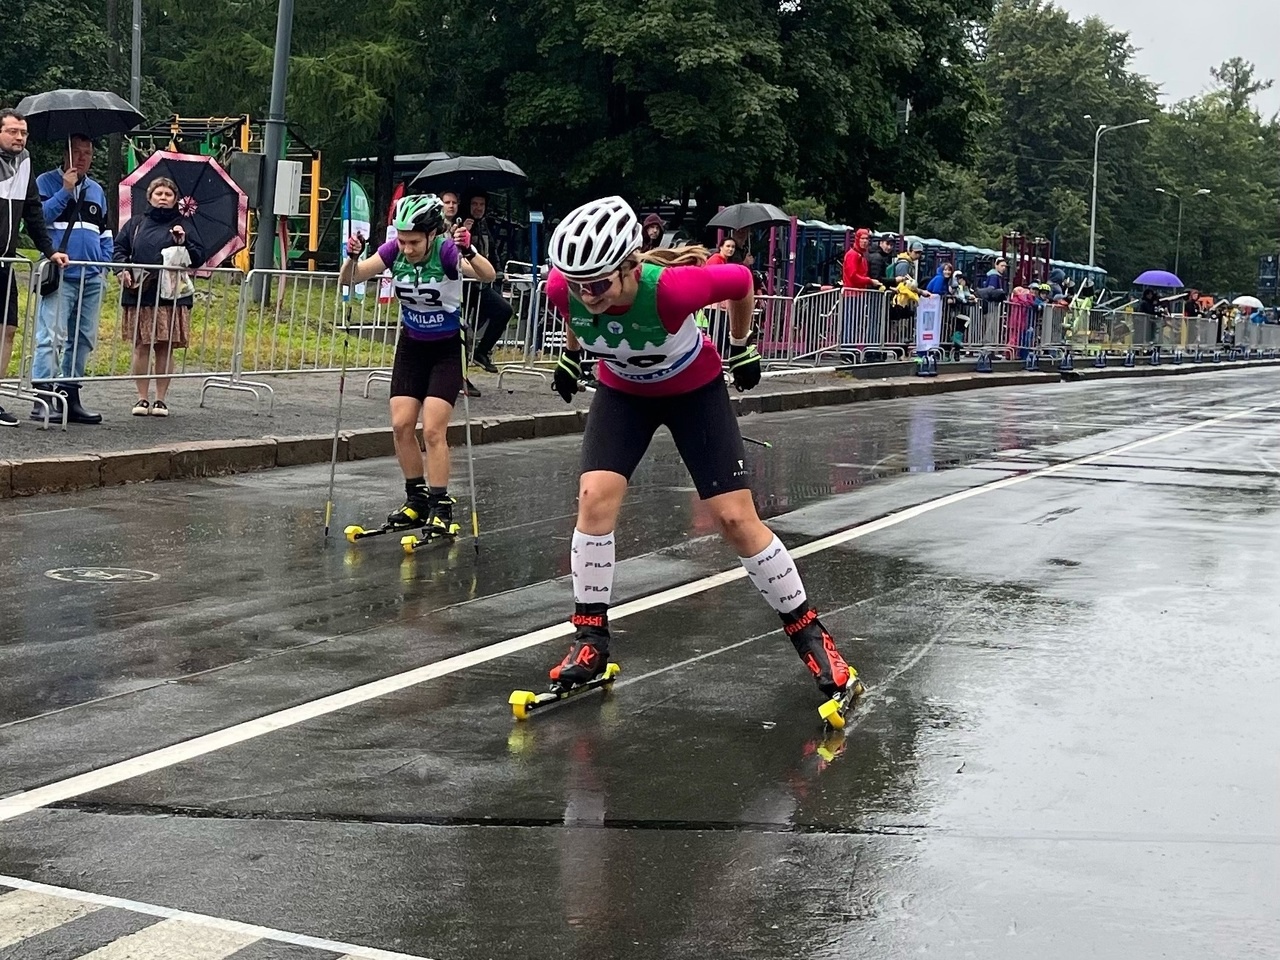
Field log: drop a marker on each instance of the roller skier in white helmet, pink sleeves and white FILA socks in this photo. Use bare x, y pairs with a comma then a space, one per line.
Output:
636, 313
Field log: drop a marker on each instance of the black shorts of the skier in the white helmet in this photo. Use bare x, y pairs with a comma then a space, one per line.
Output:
621, 426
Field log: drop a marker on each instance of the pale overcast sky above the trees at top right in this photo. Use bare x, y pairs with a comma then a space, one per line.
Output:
1180, 40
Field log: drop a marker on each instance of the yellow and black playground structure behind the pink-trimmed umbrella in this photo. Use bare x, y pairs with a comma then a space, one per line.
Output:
236, 144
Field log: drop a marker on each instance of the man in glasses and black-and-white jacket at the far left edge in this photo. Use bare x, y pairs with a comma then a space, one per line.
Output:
21, 203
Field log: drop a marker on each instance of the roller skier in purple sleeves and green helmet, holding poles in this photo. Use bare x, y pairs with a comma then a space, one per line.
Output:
427, 376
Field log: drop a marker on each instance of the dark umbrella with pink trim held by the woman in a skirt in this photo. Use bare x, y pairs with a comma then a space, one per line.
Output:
208, 196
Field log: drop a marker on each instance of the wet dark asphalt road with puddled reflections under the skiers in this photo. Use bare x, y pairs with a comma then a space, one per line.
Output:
1069, 748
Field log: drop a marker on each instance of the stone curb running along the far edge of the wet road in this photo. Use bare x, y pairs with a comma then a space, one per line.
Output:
29, 478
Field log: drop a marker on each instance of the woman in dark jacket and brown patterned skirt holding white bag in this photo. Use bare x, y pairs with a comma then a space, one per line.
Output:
154, 318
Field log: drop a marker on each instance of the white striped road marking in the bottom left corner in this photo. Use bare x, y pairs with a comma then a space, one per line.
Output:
168, 941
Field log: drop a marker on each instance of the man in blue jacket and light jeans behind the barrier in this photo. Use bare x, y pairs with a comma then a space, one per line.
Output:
76, 214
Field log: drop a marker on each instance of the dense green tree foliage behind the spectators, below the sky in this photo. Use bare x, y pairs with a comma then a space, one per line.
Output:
797, 103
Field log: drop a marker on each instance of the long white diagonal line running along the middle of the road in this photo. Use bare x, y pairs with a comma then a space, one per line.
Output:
83, 784
